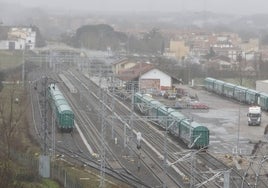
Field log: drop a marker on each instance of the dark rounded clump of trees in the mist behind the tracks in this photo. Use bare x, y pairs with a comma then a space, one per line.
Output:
102, 36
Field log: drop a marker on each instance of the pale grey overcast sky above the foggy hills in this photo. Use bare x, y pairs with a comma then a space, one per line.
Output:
220, 6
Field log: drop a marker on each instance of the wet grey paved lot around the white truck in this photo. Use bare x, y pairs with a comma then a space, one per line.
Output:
222, 119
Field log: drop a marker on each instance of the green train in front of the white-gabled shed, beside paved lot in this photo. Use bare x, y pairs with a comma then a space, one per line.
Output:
193, 134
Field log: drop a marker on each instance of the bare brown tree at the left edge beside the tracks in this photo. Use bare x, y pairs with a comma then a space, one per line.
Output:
11, 113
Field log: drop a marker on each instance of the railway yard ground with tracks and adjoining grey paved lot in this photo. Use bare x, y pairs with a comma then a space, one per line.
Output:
106, 137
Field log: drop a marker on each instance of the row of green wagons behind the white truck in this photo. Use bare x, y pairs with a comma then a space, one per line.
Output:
236, 92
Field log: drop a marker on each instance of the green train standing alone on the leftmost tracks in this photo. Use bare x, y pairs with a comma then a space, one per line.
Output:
63, 113
